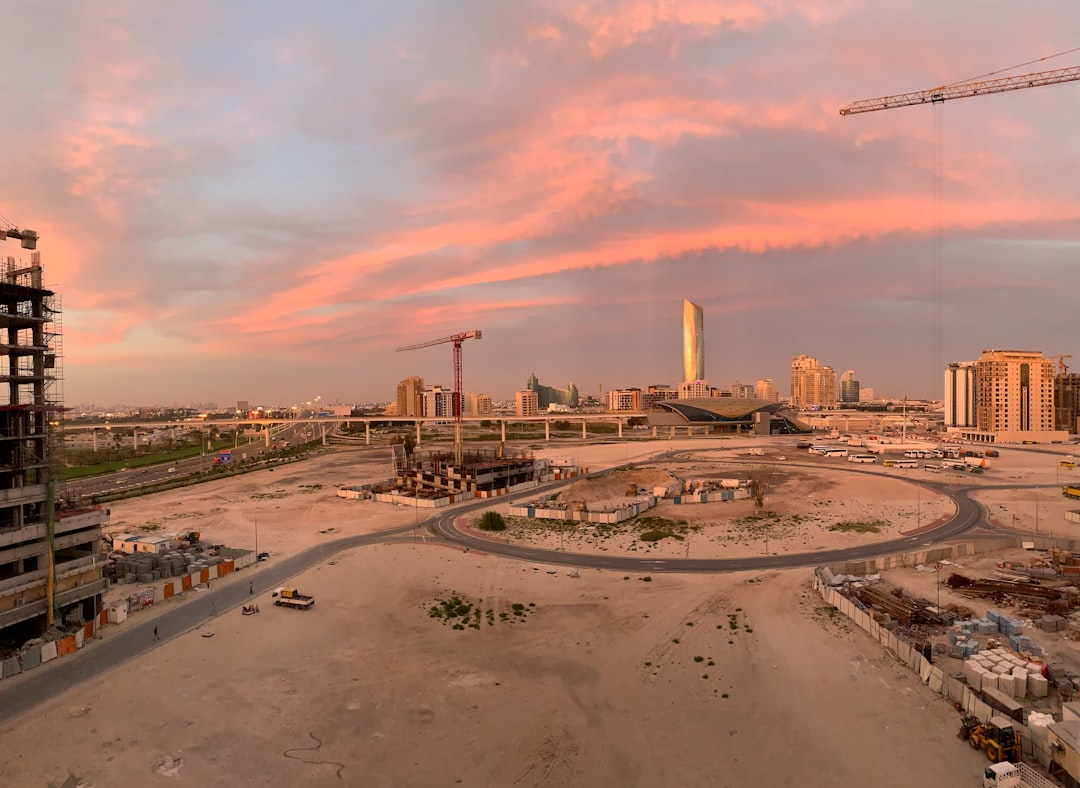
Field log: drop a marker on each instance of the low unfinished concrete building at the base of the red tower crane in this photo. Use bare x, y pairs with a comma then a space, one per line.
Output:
436, 474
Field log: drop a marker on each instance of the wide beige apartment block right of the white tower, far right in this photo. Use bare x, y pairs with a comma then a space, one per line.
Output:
1014, 399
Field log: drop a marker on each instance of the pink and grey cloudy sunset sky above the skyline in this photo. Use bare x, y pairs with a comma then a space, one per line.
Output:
262, 200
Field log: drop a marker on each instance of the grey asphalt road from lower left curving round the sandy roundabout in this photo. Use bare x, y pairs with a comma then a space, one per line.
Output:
21, 695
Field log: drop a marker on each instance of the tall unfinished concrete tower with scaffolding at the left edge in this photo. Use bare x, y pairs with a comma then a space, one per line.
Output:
50, 558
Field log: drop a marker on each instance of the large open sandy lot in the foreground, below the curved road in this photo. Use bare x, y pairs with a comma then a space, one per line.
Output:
599, 684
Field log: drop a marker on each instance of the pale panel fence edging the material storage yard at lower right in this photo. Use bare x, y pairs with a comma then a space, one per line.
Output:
1035, 746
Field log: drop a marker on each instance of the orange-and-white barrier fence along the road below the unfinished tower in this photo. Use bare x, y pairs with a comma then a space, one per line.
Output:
40, 654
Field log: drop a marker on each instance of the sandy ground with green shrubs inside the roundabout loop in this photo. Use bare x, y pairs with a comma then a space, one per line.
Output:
807, 506
